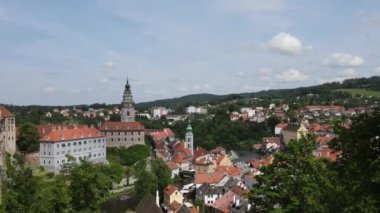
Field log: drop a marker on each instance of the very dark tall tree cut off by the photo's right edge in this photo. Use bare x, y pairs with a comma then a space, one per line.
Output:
358, 167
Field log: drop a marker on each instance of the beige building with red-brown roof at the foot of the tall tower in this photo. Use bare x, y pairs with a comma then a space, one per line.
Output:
123, 134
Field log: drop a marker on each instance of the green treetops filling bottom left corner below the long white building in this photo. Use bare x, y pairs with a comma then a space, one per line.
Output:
79, 190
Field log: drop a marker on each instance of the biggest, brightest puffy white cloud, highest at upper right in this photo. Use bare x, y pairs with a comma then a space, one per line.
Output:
286, 43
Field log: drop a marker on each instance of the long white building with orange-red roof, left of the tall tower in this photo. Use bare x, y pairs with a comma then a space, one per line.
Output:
80, 143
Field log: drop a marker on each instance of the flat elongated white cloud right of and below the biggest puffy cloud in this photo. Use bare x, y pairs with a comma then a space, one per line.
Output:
343, 60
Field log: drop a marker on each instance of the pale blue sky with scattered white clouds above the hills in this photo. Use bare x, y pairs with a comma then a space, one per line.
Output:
81, 52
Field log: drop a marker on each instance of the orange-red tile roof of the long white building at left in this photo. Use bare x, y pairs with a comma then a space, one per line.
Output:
71, 134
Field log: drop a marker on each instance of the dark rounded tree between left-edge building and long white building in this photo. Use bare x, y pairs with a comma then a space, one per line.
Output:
28, 139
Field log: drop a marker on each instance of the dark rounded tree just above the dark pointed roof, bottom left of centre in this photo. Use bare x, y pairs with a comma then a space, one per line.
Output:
146, 184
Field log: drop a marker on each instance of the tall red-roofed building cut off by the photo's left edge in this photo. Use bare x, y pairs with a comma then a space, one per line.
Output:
7, 131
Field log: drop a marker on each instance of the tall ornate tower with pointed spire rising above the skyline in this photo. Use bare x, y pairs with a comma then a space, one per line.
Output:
127, 112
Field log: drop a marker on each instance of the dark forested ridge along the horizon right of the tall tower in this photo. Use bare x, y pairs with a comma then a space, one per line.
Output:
372, 84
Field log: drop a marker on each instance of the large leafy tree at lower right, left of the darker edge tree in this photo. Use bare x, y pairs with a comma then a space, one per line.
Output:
295, 182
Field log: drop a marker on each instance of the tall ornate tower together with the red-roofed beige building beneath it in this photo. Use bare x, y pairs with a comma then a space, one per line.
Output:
127, 132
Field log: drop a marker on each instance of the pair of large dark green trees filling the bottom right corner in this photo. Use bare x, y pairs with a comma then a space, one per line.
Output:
299, 182
